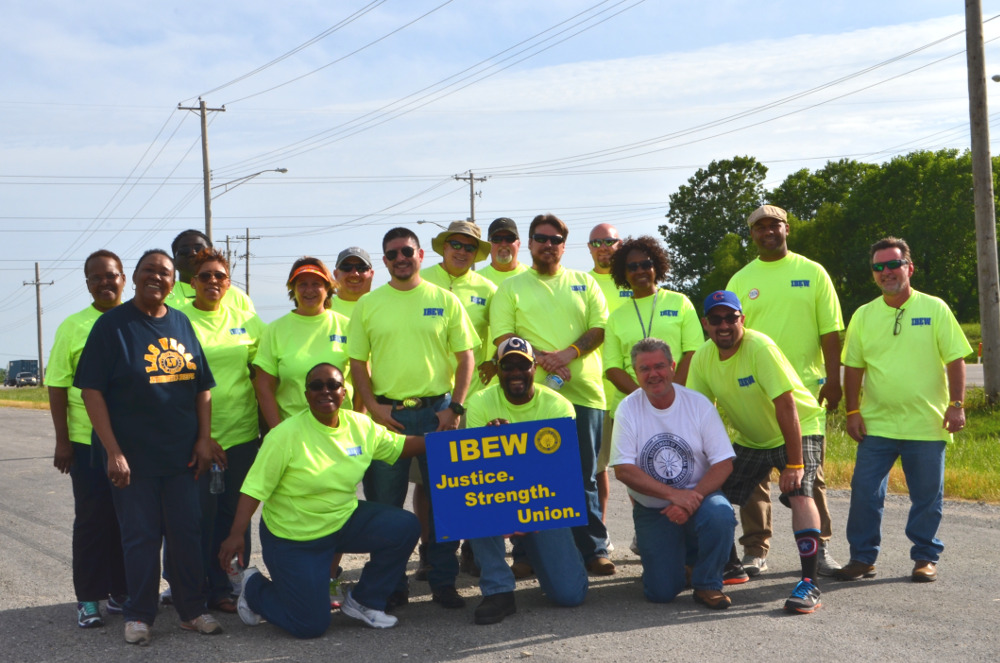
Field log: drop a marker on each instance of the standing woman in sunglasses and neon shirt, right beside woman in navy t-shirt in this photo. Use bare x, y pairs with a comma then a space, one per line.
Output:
229, 338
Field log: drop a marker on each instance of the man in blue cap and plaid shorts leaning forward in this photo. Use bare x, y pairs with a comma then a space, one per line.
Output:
778, 424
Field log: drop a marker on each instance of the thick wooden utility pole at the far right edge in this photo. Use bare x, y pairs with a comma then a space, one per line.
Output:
982, 183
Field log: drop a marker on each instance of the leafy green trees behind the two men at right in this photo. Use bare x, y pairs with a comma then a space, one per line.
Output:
834, 214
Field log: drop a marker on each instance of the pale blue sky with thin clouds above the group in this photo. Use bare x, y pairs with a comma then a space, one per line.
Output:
90, 94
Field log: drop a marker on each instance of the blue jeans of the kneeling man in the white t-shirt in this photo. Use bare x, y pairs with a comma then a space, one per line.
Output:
664, 545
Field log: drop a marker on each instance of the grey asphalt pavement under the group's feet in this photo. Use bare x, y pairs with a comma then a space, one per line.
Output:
889, 618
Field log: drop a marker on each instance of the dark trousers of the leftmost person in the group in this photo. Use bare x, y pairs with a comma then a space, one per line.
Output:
98, 563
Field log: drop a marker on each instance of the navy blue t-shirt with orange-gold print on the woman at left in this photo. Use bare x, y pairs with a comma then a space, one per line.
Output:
150, 371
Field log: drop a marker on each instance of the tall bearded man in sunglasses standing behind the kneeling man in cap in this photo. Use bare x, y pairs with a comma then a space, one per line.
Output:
562, 313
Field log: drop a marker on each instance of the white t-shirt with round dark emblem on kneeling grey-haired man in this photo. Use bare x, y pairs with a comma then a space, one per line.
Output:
675, 446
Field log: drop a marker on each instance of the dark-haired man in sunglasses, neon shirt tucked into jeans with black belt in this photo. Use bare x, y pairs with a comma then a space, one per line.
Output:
419, 343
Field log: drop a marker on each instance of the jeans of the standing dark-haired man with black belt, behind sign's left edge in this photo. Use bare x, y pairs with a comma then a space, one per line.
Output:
387, 484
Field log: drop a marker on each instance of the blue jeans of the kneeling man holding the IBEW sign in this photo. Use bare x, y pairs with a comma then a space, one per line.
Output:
552, 554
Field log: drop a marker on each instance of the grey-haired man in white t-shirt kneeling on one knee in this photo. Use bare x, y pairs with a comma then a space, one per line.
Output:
671, 449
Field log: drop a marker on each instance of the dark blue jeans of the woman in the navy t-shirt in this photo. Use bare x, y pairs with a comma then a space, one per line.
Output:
149, 510
